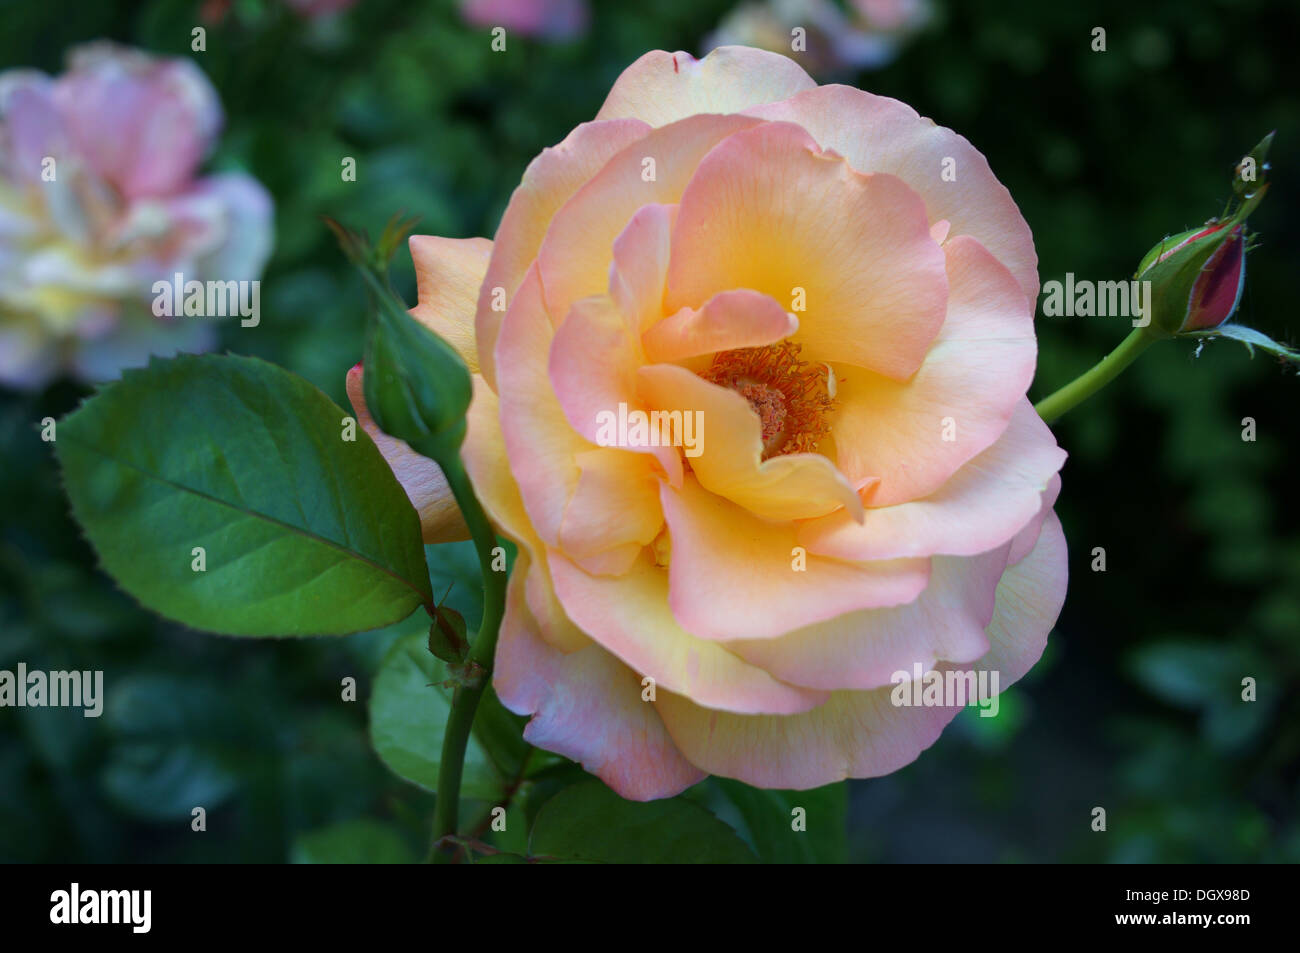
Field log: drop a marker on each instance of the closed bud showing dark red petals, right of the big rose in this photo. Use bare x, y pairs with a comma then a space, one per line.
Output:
1197, 278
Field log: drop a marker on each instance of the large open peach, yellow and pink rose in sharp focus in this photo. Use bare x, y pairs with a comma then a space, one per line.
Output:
842, 291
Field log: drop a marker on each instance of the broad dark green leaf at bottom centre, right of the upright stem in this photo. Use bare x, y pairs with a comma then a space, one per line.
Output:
590, 824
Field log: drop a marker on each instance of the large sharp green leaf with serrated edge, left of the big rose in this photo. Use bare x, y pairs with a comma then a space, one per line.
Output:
302, 532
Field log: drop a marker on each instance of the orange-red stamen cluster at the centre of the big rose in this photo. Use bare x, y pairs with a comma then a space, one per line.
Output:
791, 397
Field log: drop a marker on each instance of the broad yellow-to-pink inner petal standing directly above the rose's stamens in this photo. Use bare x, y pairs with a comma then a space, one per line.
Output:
768, 211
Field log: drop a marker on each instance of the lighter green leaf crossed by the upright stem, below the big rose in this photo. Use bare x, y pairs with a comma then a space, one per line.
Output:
409, 717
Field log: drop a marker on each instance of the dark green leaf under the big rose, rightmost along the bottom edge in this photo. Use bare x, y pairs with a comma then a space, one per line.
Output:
769, 818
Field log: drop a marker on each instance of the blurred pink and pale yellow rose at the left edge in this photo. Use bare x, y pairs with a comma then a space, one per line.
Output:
99, 201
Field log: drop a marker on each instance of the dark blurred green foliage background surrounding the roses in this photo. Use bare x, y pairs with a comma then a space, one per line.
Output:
1136, 707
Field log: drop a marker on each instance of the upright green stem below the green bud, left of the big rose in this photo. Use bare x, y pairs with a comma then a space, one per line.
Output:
465, 701
